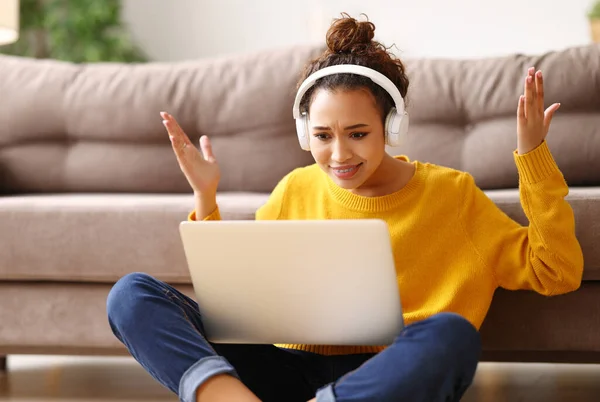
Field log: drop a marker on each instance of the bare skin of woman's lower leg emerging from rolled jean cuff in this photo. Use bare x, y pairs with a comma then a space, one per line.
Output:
224, 387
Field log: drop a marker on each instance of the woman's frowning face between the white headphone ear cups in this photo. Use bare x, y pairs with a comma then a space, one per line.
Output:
346, 135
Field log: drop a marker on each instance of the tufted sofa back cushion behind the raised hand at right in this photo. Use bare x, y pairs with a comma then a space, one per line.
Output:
463, 114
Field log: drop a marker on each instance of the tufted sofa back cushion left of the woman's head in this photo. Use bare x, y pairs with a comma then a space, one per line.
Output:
97, 128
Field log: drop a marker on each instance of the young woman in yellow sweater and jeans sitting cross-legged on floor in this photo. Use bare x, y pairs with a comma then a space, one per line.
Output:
447, 274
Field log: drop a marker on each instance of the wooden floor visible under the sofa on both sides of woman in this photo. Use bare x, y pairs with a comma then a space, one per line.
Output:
101, 379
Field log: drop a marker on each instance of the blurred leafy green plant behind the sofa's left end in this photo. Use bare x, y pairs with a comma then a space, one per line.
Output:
79, 31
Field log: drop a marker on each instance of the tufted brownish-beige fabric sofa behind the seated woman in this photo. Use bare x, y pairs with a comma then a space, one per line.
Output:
91, 189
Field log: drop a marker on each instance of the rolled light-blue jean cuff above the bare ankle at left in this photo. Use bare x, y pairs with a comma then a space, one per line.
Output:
200, 372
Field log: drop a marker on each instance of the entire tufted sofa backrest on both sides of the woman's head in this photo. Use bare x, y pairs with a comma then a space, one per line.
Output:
96, 128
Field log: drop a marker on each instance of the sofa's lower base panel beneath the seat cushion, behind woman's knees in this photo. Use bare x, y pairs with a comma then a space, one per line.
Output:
47, 322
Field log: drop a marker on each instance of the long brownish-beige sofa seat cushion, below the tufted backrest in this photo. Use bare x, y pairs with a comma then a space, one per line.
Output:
99, 238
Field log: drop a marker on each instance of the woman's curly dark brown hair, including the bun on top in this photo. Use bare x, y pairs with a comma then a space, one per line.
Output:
350, 41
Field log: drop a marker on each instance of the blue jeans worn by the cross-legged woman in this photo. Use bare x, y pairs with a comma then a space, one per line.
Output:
432, 360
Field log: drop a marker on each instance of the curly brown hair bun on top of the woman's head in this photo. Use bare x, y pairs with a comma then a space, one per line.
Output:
347, 33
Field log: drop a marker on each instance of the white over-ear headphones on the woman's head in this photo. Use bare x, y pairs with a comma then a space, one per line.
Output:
396, 122
